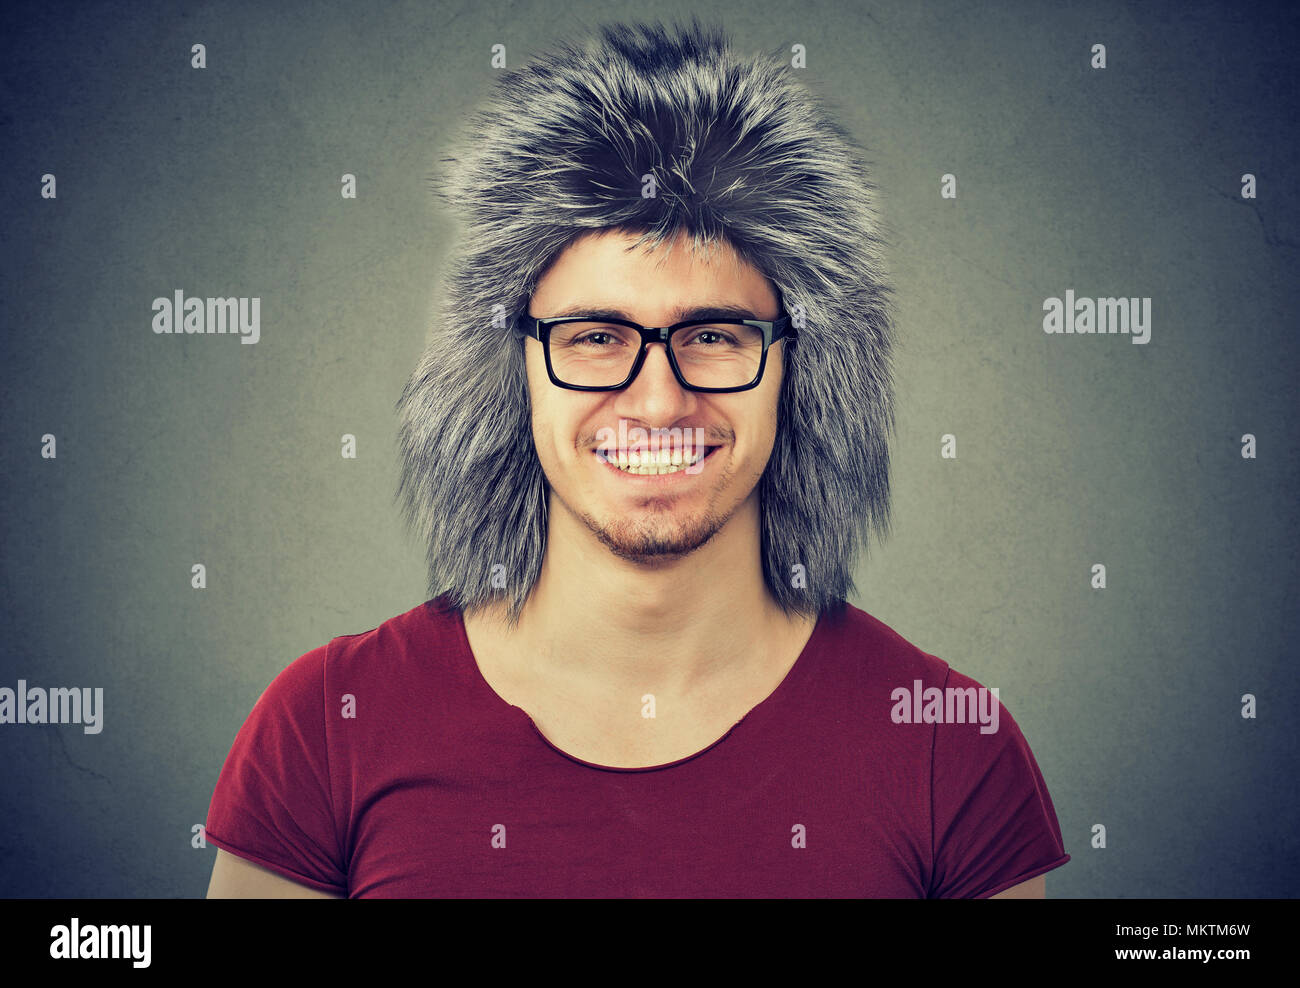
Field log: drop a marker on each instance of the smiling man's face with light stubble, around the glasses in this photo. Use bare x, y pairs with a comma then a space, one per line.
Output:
652, 518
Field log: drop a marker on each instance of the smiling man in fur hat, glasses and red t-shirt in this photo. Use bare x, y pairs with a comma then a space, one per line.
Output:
643, 450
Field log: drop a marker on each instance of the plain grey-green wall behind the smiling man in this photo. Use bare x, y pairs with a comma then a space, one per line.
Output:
1072, 450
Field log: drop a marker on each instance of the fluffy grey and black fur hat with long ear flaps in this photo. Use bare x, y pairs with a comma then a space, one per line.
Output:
740, 151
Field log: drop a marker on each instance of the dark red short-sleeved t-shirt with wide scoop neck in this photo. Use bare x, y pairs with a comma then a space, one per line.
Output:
428, 785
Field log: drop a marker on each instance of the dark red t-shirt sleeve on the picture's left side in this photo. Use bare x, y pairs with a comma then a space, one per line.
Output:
272, 804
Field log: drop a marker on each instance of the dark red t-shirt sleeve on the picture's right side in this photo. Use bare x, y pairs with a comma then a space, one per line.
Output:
994, 825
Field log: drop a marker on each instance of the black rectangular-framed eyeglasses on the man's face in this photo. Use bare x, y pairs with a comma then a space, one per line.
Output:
717, 356
